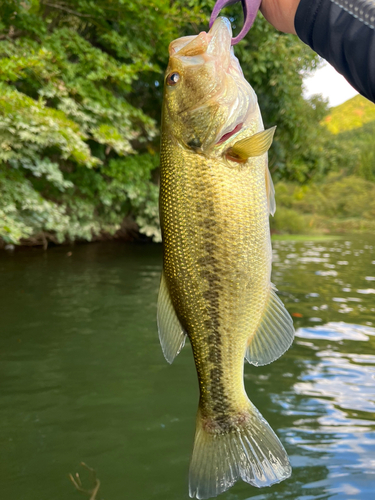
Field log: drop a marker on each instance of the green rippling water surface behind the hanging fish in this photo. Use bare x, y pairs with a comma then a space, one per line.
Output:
82, 377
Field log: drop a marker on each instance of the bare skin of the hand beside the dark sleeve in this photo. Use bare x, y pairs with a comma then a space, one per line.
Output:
280, 13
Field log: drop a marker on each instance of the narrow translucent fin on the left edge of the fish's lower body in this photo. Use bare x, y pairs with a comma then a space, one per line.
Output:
171, 334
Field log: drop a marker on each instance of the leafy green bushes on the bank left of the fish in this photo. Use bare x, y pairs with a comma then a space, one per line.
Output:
69, 132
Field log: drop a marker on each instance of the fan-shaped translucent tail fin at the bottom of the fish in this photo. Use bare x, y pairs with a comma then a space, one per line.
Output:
249, 450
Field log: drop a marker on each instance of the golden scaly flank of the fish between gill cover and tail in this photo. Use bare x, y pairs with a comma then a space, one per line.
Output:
212, 211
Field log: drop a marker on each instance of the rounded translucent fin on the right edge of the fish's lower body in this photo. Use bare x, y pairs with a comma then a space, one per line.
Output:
274, 334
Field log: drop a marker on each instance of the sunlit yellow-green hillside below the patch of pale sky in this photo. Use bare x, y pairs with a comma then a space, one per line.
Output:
350, 115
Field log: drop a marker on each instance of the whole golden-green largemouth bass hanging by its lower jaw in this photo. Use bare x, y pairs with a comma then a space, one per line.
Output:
216, 195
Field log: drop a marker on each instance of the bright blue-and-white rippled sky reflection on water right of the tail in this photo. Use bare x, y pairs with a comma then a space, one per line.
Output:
339, 388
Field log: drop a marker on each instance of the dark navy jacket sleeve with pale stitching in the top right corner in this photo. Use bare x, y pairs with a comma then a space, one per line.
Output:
343, 33
